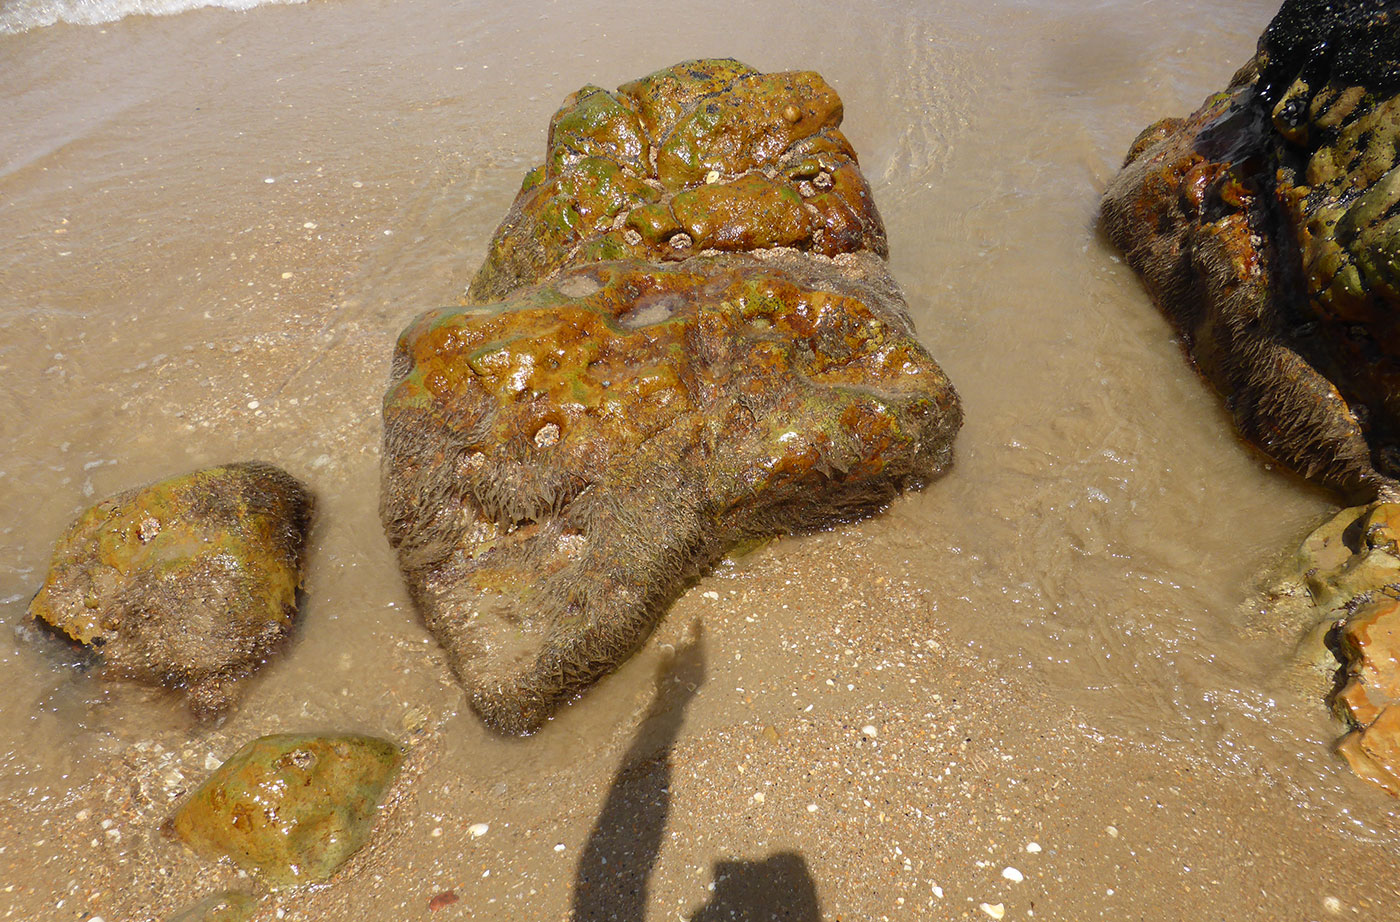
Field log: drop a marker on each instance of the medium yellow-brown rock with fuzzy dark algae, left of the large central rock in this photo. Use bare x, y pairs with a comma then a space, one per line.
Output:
188, 584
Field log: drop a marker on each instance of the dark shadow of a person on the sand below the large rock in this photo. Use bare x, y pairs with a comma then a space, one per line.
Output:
622, 850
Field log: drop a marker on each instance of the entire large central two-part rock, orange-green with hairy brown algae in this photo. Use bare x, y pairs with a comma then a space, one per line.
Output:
715, 353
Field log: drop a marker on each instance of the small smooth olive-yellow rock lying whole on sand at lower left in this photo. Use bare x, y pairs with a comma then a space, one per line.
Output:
290, 808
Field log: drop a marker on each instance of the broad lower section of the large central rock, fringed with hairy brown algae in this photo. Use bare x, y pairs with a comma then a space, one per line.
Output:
559, 464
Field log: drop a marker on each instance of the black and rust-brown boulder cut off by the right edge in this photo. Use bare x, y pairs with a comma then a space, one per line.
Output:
1266, 227
